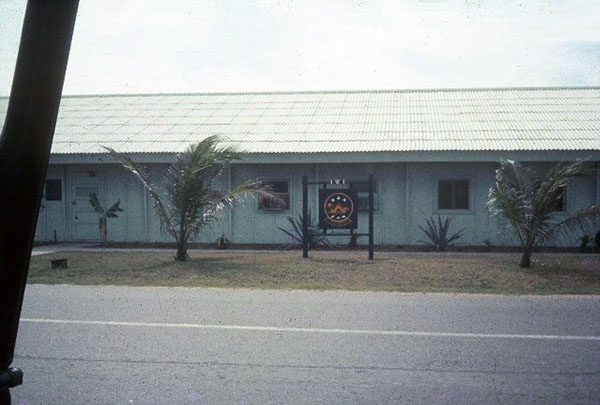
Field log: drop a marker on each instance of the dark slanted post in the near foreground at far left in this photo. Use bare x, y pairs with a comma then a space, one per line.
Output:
24, 151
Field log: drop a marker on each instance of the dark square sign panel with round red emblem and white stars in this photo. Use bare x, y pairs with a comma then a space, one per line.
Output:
338, 209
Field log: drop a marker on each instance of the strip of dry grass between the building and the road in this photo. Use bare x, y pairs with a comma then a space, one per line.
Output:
410, 272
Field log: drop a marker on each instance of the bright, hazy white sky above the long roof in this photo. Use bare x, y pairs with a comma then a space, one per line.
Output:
174, 46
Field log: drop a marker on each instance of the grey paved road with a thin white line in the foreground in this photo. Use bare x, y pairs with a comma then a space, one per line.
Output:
178, 345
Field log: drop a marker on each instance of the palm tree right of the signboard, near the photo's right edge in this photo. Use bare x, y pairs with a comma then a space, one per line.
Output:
529, 203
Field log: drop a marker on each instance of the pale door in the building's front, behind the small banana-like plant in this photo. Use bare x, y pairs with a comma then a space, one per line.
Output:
85, 219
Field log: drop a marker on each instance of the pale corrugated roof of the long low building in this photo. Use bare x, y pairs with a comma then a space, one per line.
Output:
344, 121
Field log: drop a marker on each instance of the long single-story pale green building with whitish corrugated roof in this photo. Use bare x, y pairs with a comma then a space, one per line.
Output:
432, 152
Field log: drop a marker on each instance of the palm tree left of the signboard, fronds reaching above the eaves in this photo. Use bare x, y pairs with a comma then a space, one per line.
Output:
189, 202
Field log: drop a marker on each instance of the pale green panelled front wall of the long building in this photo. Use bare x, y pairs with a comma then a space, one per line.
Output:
406, 193
